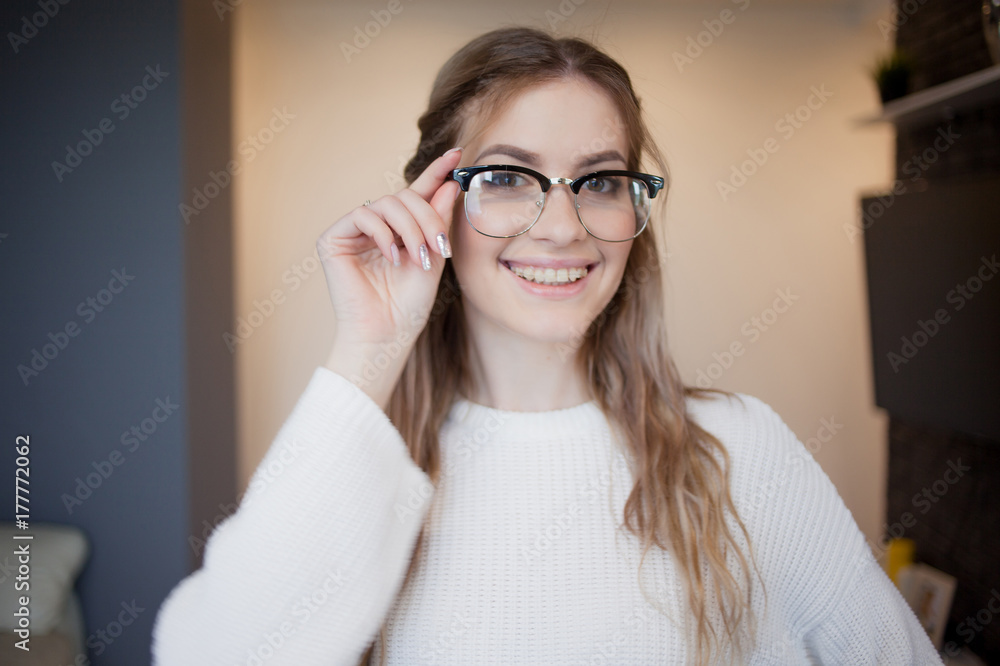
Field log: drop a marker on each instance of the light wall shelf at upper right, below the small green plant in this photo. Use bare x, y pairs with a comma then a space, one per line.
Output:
940, 102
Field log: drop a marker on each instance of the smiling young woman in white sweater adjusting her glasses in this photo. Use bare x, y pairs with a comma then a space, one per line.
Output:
499, 463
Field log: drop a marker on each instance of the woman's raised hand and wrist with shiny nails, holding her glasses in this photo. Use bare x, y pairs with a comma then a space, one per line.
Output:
383, 263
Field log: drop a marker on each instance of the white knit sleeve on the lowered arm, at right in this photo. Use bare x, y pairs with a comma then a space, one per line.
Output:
829, 591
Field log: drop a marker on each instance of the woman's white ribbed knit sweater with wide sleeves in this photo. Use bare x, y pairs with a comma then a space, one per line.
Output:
524, 560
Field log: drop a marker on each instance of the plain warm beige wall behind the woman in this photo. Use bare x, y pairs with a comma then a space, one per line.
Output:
355, 123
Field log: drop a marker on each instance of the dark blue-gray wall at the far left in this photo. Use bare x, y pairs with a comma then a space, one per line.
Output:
62, 241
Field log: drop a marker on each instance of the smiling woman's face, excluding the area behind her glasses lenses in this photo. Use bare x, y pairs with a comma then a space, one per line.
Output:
563, 129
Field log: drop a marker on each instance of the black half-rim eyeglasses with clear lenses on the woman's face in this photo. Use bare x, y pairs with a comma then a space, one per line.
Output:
503, 200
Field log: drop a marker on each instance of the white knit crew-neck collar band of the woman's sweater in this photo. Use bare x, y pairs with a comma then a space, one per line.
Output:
502, 423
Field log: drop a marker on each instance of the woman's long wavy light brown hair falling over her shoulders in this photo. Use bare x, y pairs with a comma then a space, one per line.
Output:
680, 501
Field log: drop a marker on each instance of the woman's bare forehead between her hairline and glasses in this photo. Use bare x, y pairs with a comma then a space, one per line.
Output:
562, 121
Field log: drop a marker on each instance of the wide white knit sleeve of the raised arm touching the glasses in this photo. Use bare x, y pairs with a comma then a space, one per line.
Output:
306, 569
